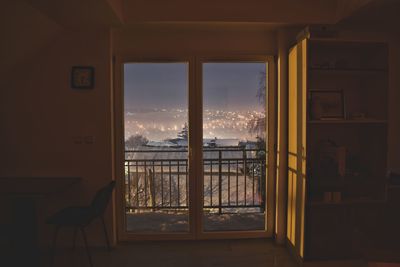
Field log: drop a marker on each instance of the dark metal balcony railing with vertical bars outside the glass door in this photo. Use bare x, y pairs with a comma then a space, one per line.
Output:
234, 179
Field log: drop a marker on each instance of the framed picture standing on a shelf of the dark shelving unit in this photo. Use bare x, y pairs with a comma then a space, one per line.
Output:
327, 104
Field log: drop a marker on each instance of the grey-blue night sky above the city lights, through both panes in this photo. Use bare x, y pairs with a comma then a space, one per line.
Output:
165, 85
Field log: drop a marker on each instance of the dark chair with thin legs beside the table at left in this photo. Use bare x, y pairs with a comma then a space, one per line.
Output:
78, 217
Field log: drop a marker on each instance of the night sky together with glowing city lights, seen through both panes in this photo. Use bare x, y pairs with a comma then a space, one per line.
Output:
156, 98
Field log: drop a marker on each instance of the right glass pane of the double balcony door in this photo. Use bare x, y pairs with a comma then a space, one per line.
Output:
234, 146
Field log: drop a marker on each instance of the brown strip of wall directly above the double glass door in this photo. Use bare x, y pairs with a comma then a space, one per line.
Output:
185, 40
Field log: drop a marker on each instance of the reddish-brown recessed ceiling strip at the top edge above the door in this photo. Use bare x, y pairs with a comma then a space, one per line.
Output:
271, 11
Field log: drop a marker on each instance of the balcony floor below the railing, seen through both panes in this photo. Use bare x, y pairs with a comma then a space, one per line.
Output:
161, 221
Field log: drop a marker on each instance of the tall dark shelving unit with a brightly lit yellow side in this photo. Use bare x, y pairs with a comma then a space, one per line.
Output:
337, 144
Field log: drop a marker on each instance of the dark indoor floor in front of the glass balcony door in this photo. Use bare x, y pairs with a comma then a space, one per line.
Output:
213, 253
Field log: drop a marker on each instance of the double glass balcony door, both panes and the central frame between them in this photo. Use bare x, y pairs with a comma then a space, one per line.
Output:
196, 148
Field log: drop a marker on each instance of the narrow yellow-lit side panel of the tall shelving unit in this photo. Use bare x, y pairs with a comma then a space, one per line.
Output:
297, 123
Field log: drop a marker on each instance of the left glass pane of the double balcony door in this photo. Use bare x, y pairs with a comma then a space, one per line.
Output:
156, 147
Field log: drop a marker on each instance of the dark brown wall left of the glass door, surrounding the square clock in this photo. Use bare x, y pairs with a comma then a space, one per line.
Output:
49, 129
